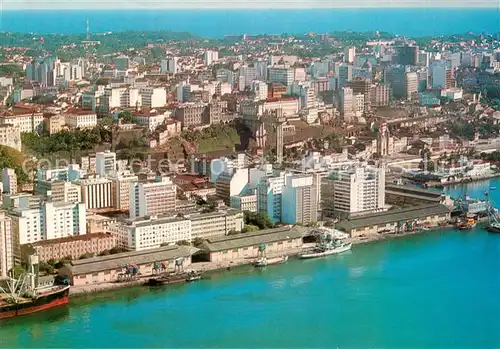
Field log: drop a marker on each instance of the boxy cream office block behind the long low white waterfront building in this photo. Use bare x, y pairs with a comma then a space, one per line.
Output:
152, 199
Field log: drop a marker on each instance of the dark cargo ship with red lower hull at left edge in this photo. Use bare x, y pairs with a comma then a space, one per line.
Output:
21, 296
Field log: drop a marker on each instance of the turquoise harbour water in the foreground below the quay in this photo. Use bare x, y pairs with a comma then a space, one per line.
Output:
437, 290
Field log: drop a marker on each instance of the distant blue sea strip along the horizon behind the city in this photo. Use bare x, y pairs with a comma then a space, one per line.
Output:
220, 22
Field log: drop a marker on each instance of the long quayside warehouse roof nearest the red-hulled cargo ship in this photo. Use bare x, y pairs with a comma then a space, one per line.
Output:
96, 264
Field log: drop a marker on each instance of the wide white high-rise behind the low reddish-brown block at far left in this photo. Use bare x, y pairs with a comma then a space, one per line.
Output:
48, 220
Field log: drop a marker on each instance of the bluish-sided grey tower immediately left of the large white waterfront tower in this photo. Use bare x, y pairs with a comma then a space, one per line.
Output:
299, 202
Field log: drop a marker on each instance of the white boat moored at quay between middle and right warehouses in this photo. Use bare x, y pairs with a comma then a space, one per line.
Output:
331, 242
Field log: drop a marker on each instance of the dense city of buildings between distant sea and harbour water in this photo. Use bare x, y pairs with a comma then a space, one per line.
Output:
127, 155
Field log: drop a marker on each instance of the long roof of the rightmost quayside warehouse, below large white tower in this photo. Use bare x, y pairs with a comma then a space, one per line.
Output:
393, 216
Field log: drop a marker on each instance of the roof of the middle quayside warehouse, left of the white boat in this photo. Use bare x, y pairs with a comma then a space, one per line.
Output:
252, 239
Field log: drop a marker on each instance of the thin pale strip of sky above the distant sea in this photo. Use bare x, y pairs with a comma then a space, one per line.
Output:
203, 4
